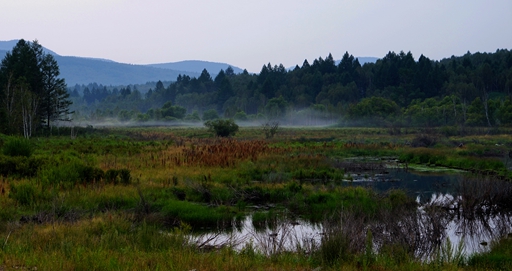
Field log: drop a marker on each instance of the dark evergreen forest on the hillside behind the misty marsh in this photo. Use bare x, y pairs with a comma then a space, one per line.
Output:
473, 90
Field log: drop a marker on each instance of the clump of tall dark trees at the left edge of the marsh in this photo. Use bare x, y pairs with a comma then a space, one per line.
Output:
31, 93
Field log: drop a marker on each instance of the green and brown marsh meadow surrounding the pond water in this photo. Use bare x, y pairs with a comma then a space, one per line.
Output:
137, 198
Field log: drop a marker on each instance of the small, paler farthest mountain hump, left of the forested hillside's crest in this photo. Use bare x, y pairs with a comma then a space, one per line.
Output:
196, 66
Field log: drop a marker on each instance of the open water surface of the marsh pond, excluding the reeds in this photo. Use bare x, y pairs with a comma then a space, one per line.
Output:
475, 226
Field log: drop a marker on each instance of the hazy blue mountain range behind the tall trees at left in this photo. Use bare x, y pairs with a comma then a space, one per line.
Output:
84, 70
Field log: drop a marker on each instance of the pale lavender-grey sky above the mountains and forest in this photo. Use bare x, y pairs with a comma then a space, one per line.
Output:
250, 34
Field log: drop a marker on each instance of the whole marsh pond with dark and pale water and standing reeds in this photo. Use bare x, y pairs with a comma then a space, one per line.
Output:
469, 211
